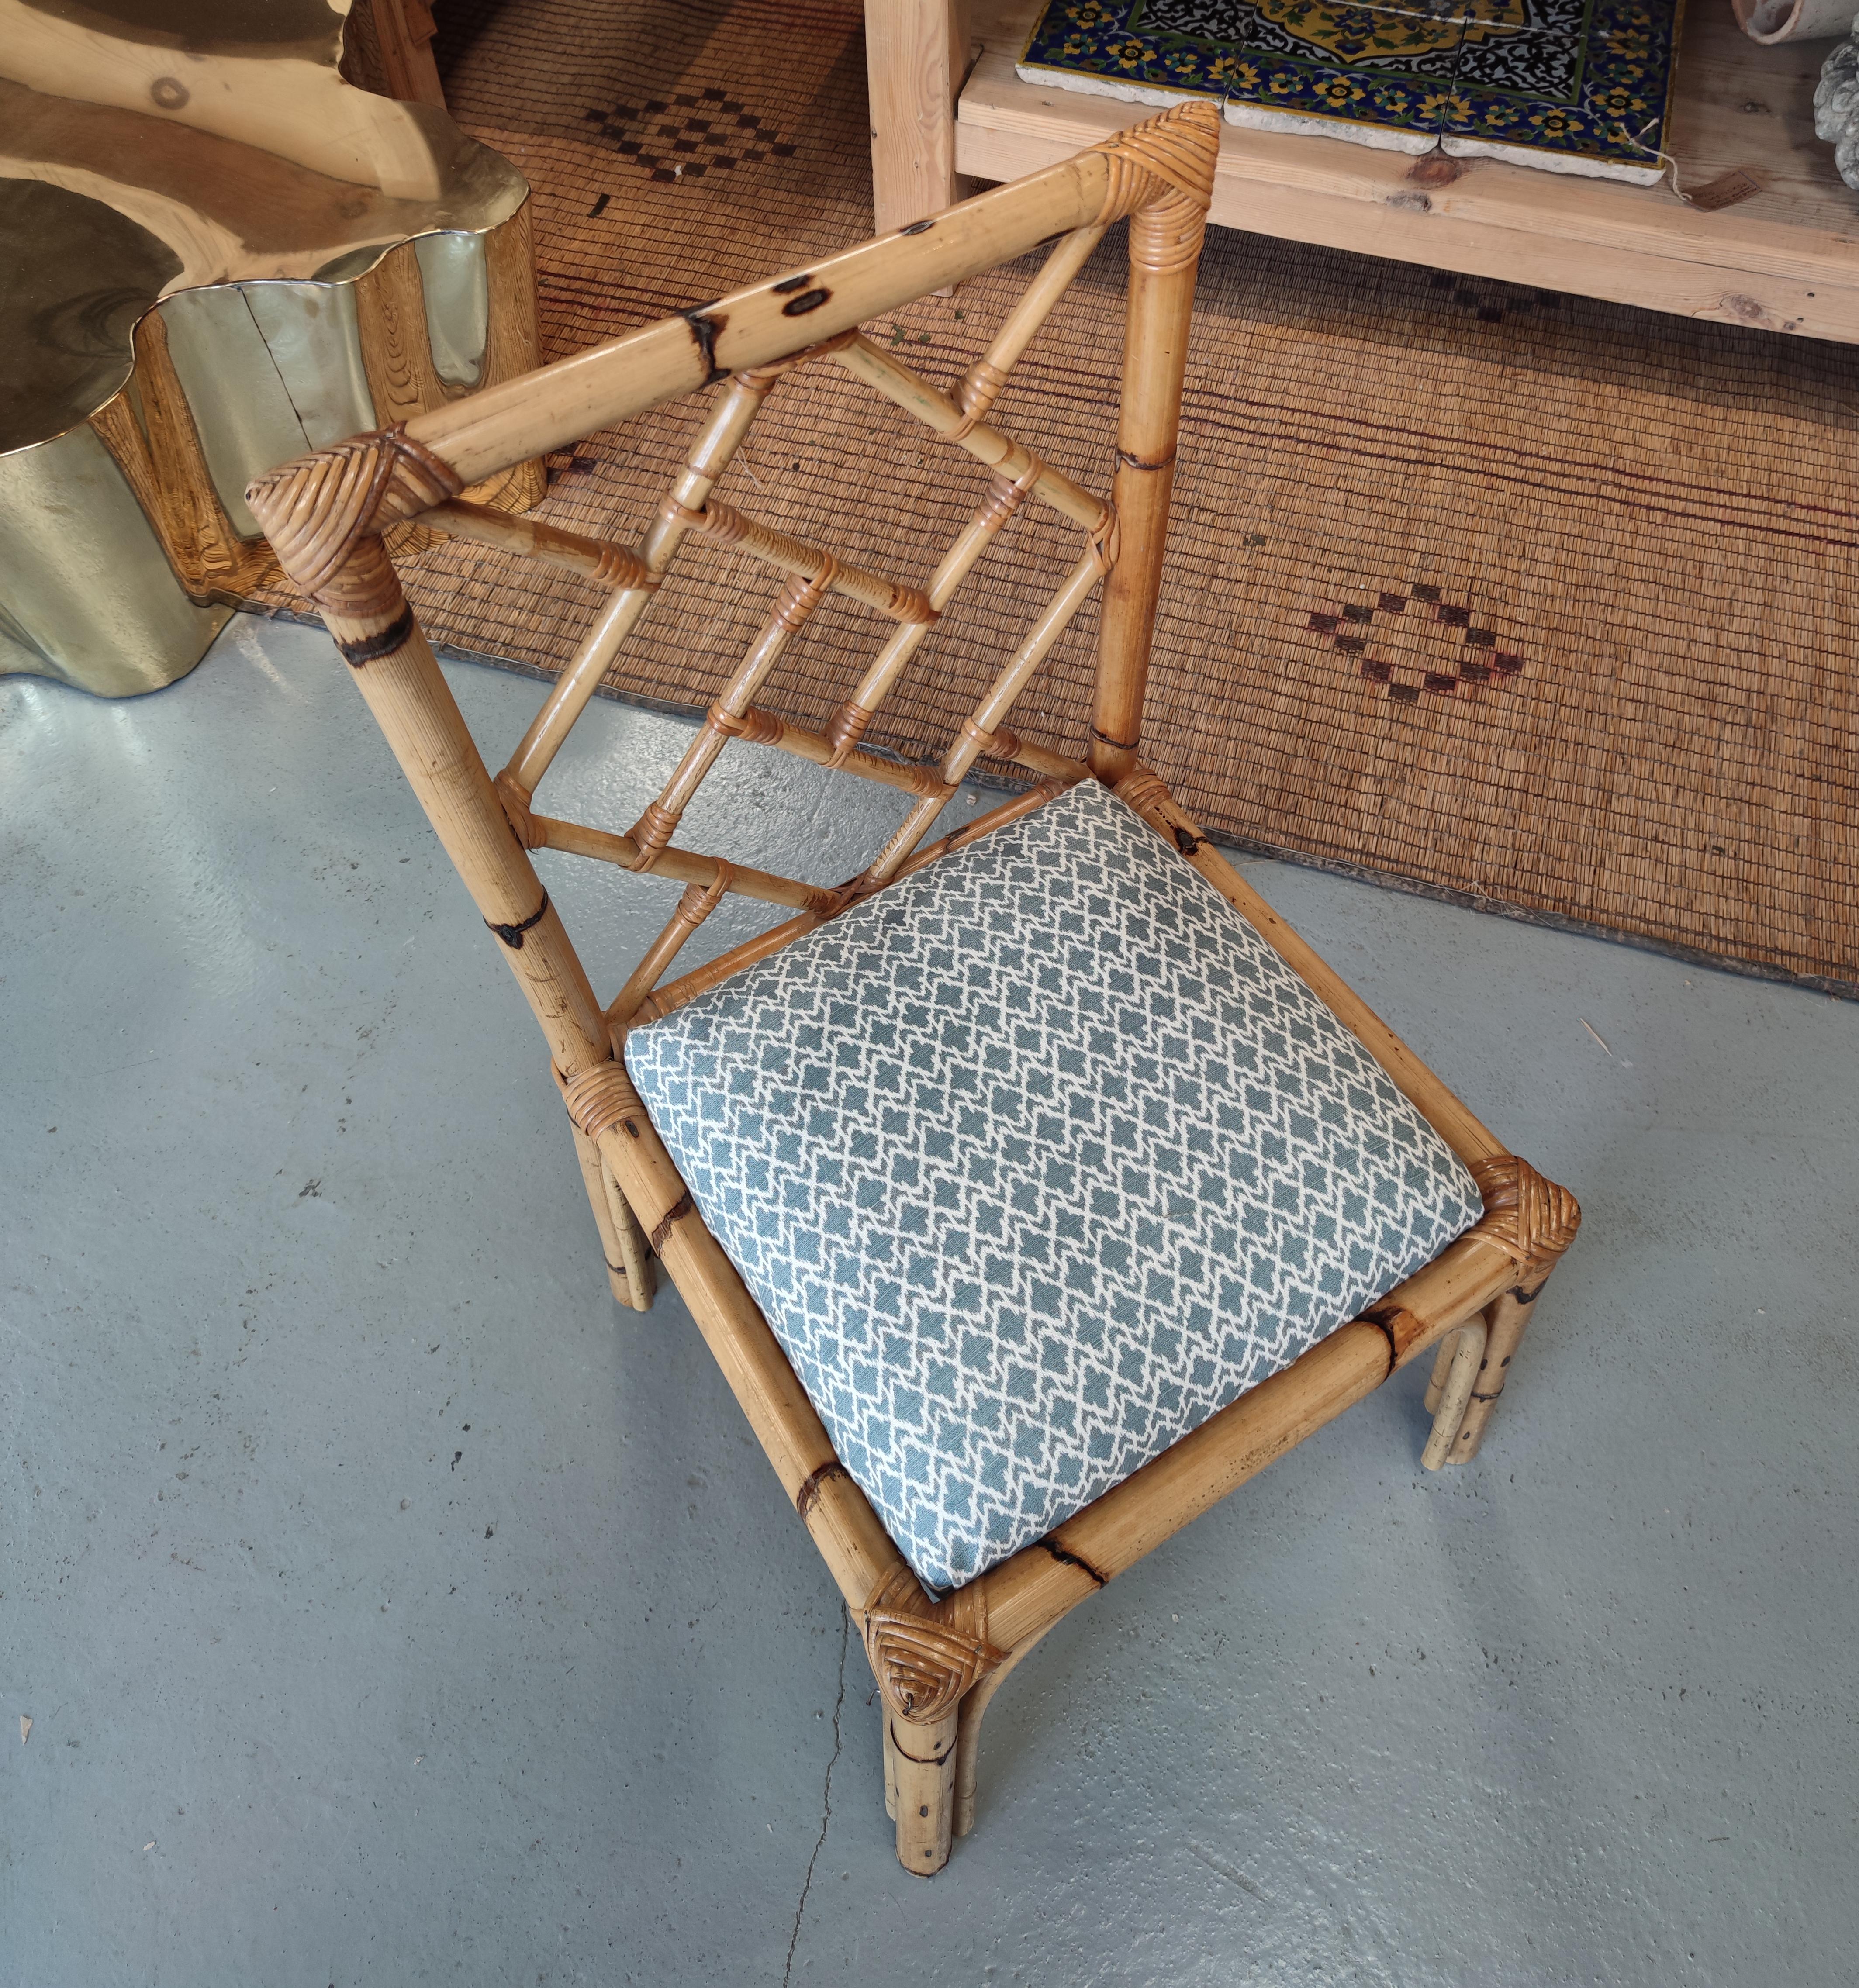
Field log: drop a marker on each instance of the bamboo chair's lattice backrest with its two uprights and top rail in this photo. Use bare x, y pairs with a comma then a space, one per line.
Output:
325, 518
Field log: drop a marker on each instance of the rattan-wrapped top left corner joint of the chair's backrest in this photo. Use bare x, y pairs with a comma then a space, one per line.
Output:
323, 510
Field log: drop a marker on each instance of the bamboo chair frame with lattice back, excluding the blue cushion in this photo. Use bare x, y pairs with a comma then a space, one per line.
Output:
937, 1659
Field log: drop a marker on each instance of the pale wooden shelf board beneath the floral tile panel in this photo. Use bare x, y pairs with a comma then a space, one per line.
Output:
1784, 259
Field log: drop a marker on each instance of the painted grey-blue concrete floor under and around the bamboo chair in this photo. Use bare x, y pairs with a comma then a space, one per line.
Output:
395, 1609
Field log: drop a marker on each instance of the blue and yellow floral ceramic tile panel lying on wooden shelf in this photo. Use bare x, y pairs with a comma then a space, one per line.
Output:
1576, 86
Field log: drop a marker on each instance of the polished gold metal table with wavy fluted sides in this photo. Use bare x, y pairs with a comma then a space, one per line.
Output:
200, 279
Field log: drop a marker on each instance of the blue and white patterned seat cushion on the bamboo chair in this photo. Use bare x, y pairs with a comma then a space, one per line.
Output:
1035, 1162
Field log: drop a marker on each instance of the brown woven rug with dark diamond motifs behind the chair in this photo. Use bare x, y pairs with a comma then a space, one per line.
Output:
1514, 597
